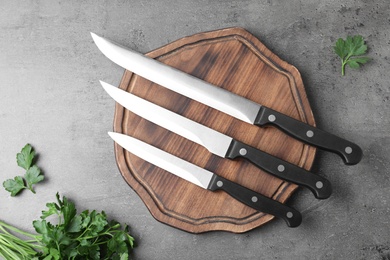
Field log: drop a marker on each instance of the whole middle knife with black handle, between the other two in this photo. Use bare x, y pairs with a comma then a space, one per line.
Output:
218, 143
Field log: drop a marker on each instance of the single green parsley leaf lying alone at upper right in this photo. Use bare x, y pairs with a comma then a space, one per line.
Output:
349, 51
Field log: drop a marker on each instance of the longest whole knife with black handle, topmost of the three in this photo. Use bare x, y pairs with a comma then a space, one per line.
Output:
225, 101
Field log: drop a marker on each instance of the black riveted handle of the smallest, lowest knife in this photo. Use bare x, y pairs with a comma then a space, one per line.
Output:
256, 200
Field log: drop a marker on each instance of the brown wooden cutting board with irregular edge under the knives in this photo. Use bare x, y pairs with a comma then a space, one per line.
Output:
237, 61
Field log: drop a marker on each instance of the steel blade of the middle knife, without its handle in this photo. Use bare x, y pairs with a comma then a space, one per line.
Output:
215, 142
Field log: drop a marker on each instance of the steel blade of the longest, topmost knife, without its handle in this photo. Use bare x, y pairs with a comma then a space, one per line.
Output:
179, 81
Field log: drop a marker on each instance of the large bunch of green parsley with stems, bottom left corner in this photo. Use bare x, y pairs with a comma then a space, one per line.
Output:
88, 235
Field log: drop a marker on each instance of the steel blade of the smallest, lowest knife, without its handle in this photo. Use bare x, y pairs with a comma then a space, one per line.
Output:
164, 160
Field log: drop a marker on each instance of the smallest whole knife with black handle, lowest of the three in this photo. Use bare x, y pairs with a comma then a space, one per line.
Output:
206, 179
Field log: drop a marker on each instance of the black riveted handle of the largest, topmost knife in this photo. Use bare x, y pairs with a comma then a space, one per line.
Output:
349, 152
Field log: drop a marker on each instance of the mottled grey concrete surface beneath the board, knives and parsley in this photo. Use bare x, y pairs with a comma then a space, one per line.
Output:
50, 97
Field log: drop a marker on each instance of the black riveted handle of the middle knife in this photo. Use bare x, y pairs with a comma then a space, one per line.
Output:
320, 186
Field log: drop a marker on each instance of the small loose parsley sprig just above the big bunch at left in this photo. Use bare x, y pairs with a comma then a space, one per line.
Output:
33, 175
